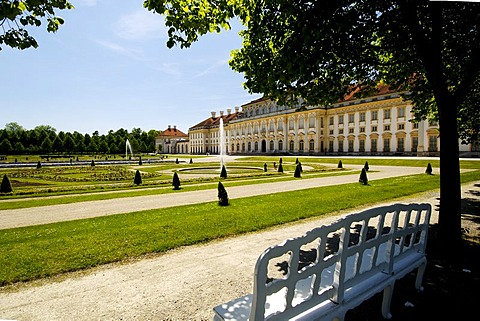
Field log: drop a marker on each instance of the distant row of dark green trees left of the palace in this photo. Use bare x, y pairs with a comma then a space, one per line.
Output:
44, 139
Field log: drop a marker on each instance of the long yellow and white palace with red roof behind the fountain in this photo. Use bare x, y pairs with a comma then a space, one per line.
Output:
378, 125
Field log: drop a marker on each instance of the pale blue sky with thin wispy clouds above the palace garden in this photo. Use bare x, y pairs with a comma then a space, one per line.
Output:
108, 67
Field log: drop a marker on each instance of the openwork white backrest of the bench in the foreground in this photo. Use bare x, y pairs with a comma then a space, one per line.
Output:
319, 266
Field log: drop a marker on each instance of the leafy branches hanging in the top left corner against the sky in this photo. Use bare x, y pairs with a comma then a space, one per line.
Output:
17, 16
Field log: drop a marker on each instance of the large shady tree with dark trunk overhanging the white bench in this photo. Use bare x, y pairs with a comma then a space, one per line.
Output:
321, 51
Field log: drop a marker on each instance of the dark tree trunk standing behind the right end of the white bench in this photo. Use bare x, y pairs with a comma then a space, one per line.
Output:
449, 219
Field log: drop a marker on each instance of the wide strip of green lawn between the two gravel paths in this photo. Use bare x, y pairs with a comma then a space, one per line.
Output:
41, 251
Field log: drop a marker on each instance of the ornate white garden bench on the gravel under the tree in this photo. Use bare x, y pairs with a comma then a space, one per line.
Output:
334, 268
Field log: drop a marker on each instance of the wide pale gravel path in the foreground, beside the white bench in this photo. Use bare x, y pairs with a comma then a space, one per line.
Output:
183, 284
